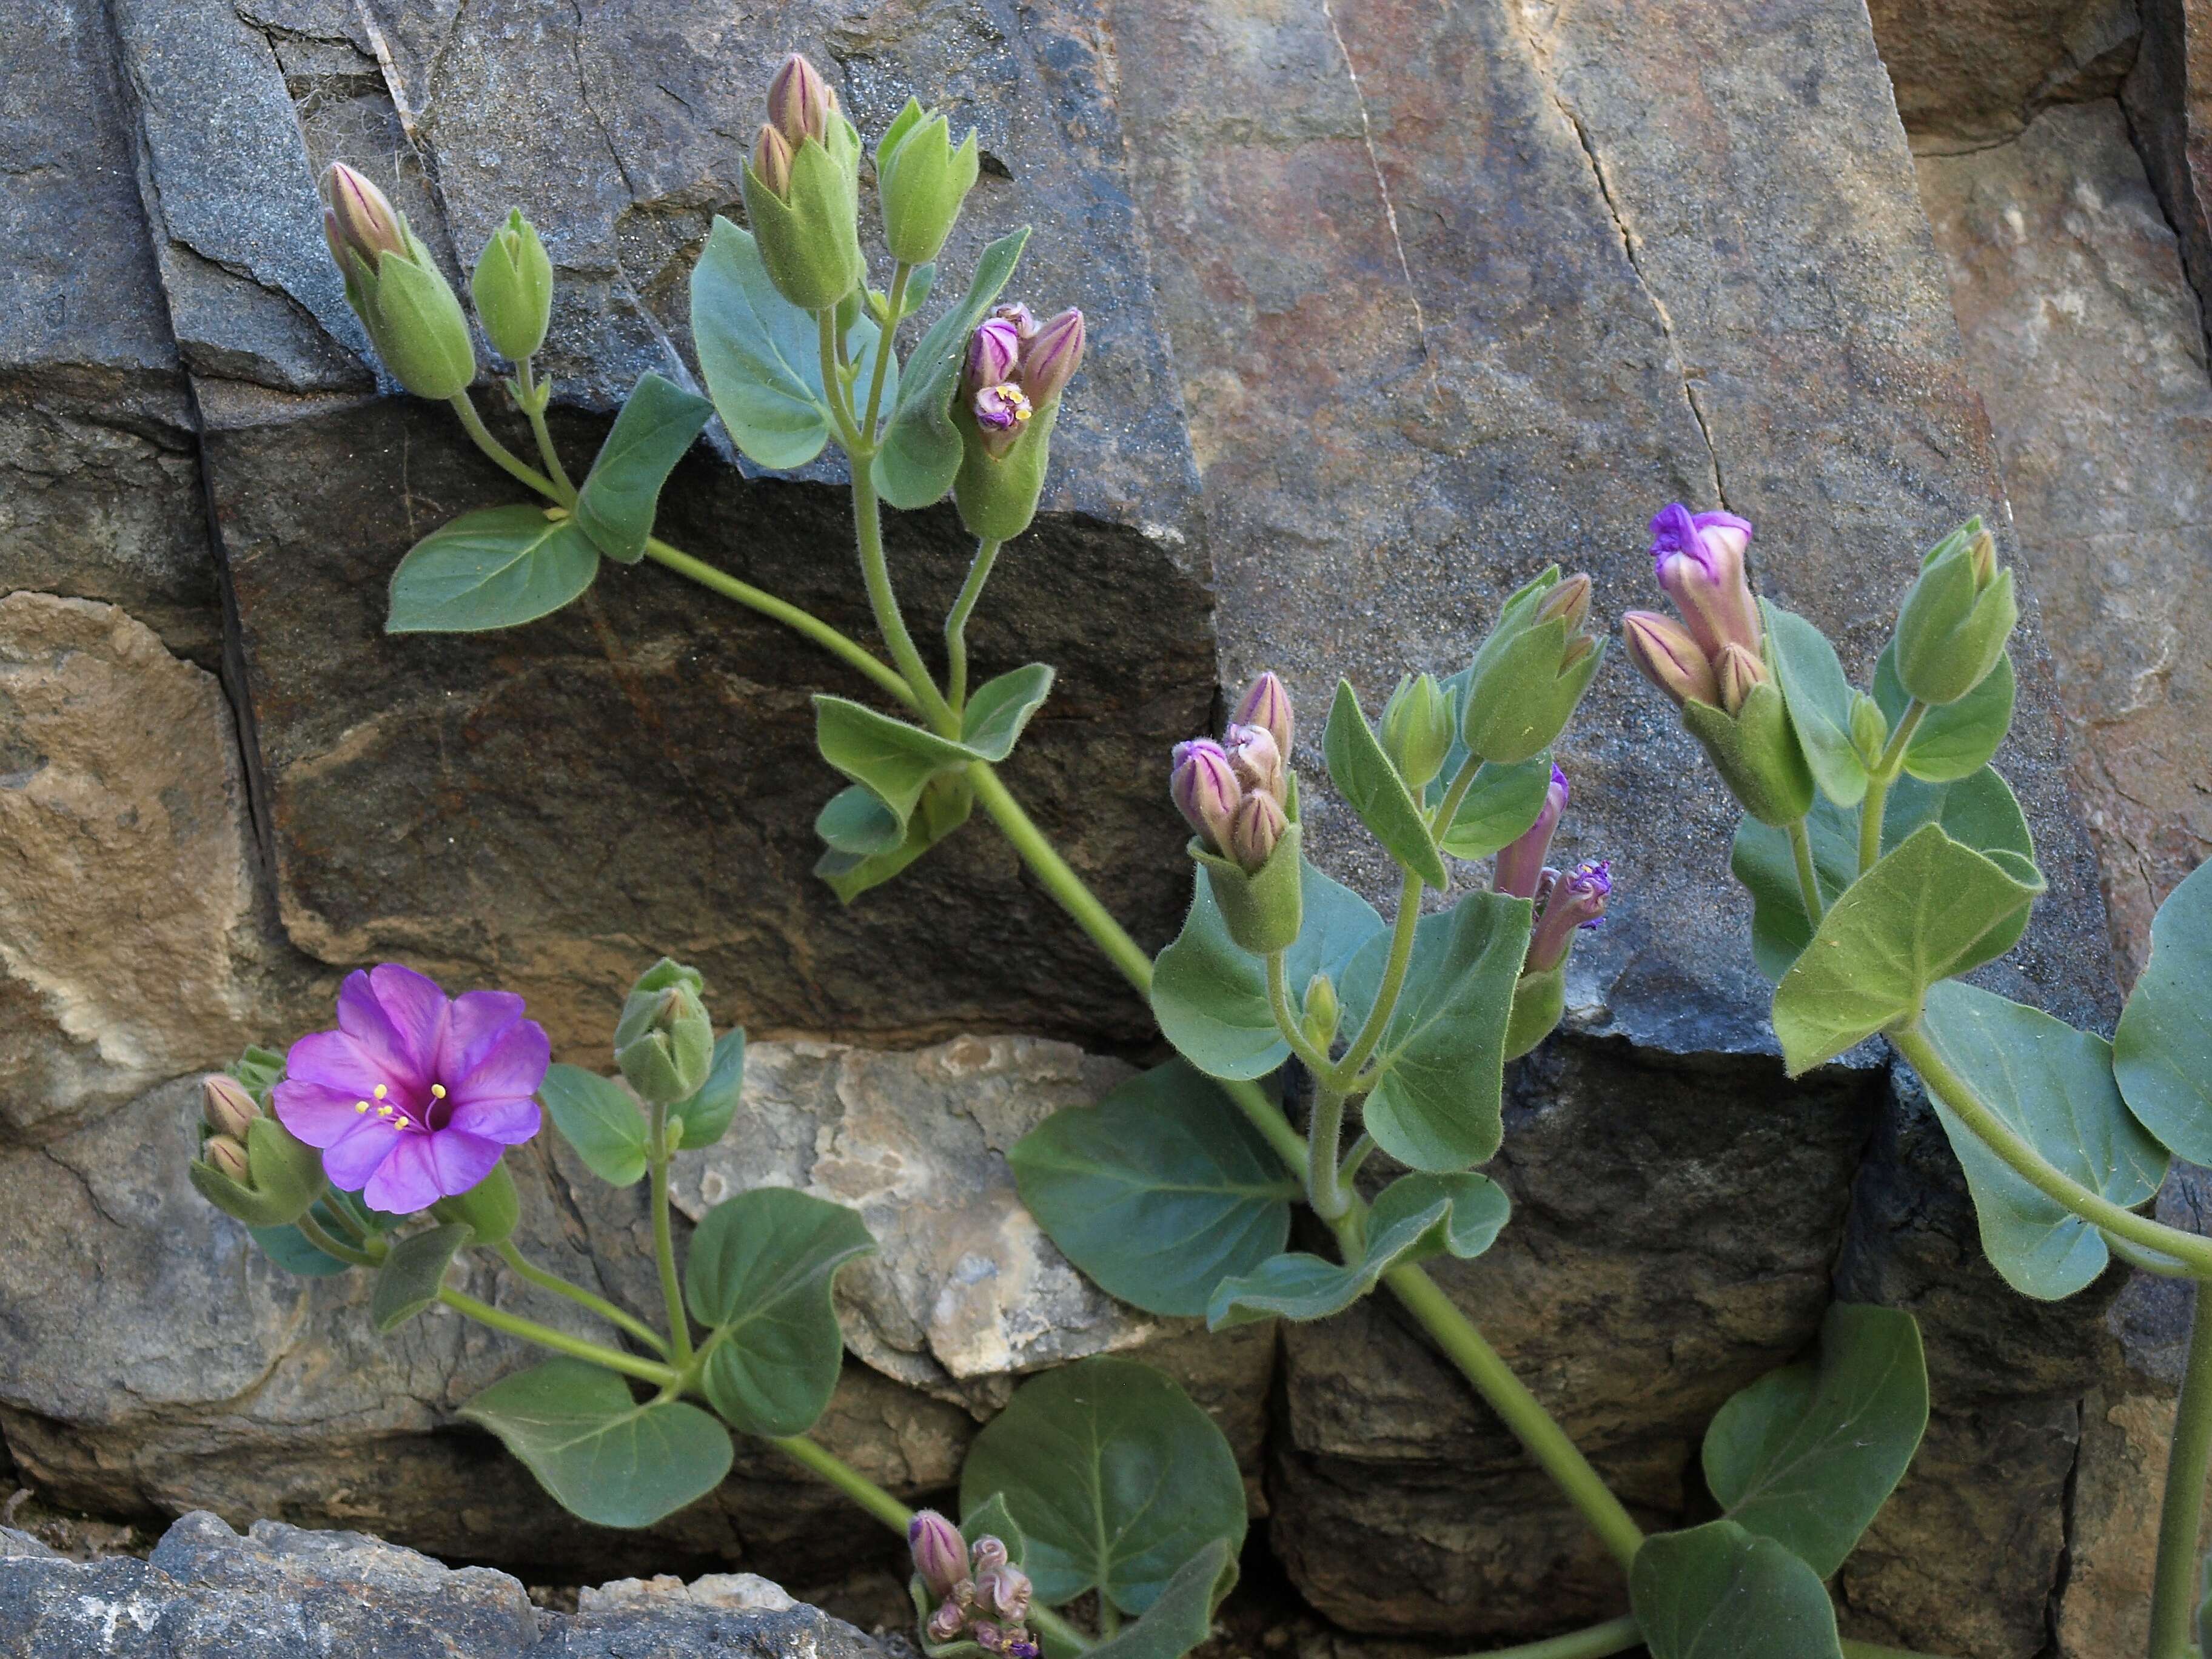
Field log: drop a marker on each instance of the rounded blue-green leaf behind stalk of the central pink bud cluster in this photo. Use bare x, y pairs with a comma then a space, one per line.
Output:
1211, 997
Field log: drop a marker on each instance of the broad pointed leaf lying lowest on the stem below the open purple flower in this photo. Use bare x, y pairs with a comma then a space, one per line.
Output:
598, 1452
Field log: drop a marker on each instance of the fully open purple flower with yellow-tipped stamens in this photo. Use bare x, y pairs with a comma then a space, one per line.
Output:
417, 1094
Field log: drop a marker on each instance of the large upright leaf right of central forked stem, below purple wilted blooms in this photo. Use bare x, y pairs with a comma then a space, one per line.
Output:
1443, 1052
